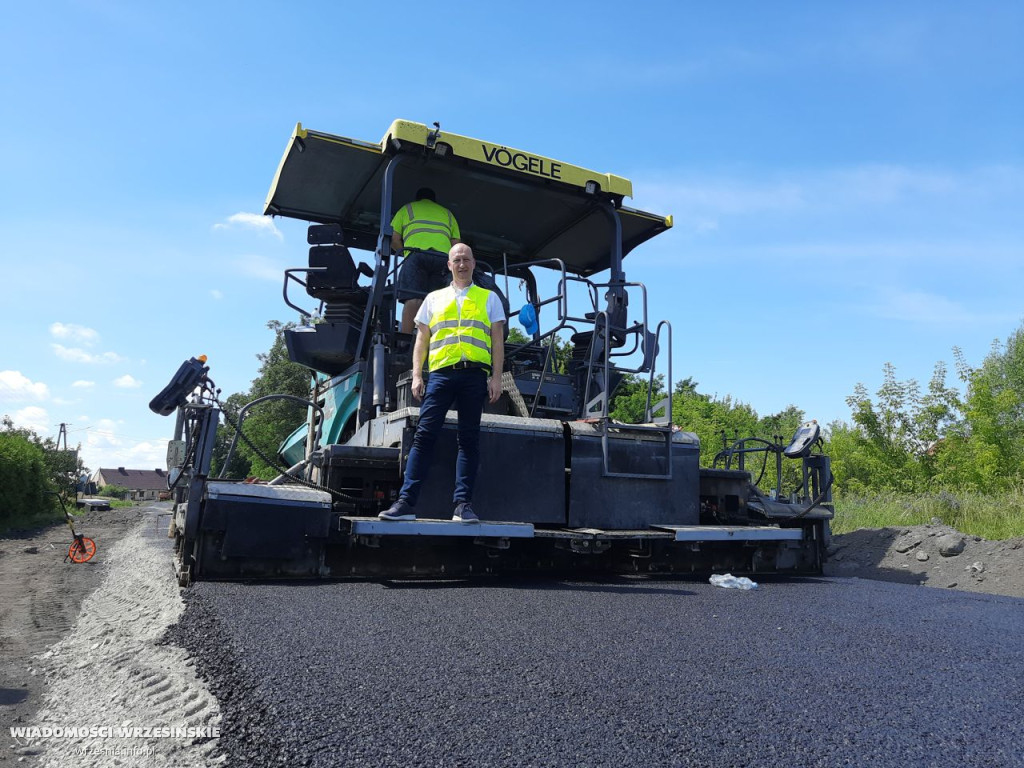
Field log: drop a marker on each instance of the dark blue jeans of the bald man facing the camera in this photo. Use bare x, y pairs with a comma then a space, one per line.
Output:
467, 390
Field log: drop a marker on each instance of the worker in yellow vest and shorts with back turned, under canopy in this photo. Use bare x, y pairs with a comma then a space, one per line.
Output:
432, 230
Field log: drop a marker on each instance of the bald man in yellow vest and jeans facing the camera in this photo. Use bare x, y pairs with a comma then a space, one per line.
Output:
460, 334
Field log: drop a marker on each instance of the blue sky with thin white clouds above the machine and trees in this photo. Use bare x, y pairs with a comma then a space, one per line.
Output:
847, 180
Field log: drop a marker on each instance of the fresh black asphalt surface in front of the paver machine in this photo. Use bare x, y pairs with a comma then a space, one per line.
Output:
810, 672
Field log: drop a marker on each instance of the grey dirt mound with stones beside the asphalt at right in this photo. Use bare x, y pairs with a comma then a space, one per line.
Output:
934, 556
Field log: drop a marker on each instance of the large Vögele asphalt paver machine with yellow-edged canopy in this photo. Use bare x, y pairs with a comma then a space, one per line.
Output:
562, 485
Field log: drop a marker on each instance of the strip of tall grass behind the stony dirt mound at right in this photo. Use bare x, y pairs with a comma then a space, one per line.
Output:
991, 517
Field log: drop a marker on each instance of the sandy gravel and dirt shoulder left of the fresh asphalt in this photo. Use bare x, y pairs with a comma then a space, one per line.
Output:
83, 648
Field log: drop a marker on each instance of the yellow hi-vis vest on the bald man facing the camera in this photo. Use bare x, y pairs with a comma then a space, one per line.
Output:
465, 335
